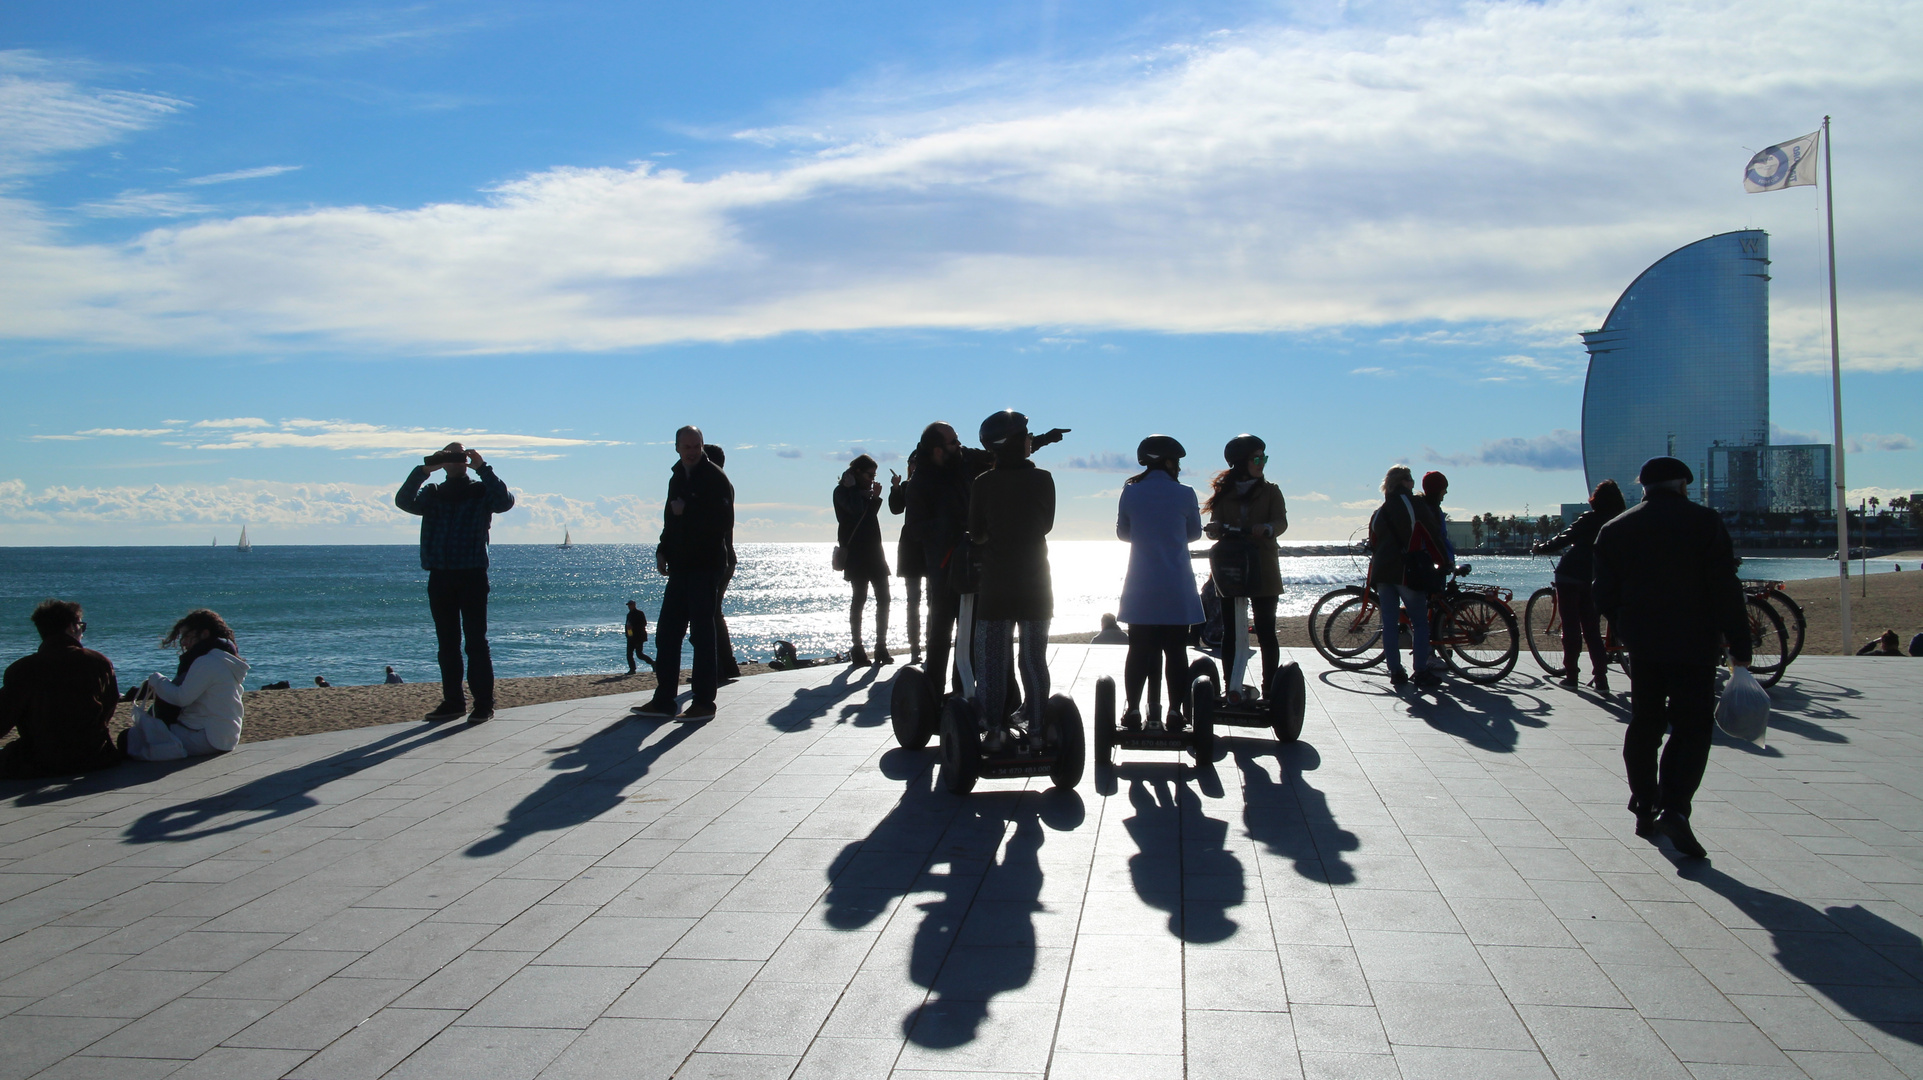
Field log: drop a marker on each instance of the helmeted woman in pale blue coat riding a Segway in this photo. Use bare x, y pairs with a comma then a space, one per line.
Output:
1159, 518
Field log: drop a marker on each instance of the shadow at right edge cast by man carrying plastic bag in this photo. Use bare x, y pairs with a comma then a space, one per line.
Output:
1868, 966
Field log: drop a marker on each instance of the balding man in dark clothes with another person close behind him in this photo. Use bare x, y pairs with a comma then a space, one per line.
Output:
695, 554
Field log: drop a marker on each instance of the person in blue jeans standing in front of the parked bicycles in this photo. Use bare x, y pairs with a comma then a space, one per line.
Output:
1405, 566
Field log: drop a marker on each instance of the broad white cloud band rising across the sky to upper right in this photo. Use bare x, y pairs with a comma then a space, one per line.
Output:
1512, 164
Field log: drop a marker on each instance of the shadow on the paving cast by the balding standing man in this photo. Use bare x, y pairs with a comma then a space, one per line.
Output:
589, 781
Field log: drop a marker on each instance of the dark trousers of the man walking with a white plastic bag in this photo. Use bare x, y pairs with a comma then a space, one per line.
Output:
1678, 699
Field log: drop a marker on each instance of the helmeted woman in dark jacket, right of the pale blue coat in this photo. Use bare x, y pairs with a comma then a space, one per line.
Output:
1245, 501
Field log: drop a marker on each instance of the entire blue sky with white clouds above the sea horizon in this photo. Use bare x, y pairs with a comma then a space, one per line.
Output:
255, 260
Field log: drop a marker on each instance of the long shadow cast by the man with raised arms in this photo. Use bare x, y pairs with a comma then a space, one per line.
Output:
276, 797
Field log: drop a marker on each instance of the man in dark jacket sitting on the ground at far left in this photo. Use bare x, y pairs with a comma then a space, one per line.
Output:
61, 700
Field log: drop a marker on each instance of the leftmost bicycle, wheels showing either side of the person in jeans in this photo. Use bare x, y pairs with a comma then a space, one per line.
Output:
1474, 629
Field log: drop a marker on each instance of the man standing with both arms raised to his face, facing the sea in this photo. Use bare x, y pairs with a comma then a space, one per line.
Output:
457, 516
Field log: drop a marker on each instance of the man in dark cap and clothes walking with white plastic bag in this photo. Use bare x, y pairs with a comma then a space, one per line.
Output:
1666, 579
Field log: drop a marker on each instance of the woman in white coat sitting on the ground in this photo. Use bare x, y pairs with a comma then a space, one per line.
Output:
199, 710
